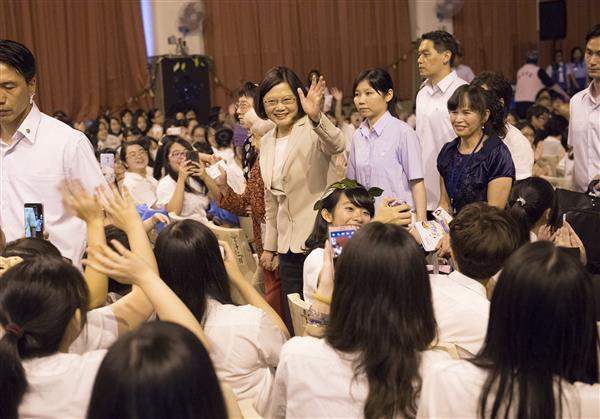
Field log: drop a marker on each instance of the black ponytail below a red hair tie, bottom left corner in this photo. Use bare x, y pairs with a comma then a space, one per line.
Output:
13, 382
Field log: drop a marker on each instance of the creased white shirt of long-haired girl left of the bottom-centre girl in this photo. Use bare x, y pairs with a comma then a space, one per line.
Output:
245, 346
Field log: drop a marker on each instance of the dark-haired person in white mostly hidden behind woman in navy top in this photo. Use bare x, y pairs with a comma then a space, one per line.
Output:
518, 145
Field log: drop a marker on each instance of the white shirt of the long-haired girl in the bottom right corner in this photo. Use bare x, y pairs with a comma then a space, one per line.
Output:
453, 388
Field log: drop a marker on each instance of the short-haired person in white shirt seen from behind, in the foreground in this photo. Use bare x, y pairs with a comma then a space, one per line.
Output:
481, 239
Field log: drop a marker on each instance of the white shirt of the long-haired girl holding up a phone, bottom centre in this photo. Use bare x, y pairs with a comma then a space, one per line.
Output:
314, 380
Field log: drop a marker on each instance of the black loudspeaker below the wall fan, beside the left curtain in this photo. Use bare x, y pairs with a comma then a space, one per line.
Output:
181, 83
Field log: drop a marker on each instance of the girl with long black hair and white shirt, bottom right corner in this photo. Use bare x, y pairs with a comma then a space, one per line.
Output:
539, 359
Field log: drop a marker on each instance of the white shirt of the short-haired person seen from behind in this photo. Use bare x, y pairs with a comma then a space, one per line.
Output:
461, 310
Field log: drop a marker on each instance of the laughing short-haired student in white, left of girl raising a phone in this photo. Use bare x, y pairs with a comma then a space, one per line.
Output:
138, 178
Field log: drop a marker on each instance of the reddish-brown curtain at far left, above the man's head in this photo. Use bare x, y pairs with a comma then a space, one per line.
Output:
91, 55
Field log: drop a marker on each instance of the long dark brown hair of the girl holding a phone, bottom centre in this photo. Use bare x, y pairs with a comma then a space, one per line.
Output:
382, 309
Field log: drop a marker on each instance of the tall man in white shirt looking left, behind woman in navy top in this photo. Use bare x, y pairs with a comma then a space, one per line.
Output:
435, 59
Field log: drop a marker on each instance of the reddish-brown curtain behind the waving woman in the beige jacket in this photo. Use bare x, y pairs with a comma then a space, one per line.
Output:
338, 37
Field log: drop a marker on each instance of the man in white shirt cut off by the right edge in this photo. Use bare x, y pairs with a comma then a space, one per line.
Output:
584, 126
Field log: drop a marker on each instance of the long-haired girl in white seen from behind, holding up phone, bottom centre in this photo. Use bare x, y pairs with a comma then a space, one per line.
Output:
377, 345
